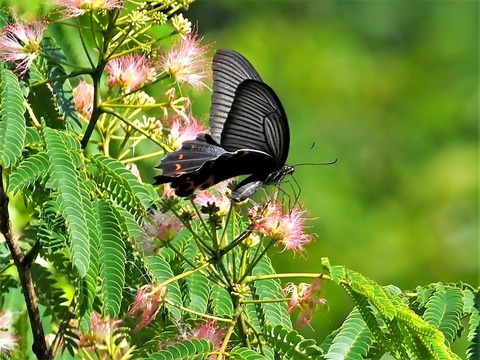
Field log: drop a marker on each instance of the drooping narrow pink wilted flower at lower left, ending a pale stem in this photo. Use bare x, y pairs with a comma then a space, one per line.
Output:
148, 301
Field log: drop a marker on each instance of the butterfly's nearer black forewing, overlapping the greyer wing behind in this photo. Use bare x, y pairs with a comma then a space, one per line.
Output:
257, 121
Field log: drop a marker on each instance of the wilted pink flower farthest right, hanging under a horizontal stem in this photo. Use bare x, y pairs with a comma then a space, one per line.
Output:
307, 298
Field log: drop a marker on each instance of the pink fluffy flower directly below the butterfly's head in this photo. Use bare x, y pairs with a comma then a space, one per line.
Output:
286, 229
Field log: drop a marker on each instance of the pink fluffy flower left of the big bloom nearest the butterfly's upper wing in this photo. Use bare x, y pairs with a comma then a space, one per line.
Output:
129, 72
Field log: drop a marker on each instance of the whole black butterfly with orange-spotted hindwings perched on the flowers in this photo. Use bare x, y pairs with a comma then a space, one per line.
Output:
249, 135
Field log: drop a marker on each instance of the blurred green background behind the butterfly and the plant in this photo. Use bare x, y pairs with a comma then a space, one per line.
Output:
391, 90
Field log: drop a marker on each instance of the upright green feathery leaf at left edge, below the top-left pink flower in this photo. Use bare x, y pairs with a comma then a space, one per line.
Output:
12, 121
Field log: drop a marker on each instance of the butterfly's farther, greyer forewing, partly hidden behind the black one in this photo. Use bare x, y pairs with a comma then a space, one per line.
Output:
230, 69
